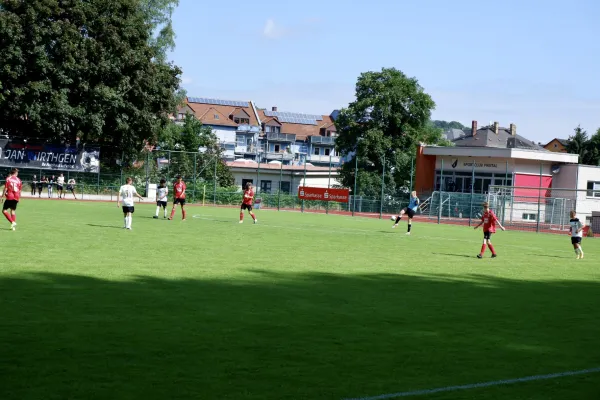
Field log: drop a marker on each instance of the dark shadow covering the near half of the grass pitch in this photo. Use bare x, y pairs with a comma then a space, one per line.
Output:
267, 335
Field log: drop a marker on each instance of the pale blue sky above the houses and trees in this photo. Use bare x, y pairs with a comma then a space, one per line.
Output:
534, 63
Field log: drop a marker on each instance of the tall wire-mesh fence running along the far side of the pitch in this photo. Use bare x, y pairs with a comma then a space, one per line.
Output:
453, 193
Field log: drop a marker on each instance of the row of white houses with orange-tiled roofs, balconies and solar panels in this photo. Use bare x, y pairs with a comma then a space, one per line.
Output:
247, 132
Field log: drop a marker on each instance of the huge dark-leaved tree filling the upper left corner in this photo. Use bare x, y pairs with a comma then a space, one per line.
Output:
81, 69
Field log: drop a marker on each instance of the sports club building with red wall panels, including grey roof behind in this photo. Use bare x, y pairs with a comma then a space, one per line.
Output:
496, 156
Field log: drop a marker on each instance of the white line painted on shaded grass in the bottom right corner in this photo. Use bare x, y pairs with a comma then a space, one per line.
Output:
479, 385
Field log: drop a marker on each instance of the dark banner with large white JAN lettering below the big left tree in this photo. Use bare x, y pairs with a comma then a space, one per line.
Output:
49, 156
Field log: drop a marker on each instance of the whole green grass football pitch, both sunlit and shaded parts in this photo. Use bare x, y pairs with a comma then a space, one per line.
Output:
299, 306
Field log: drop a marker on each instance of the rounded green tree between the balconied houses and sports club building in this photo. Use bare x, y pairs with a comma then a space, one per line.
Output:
390, 116
